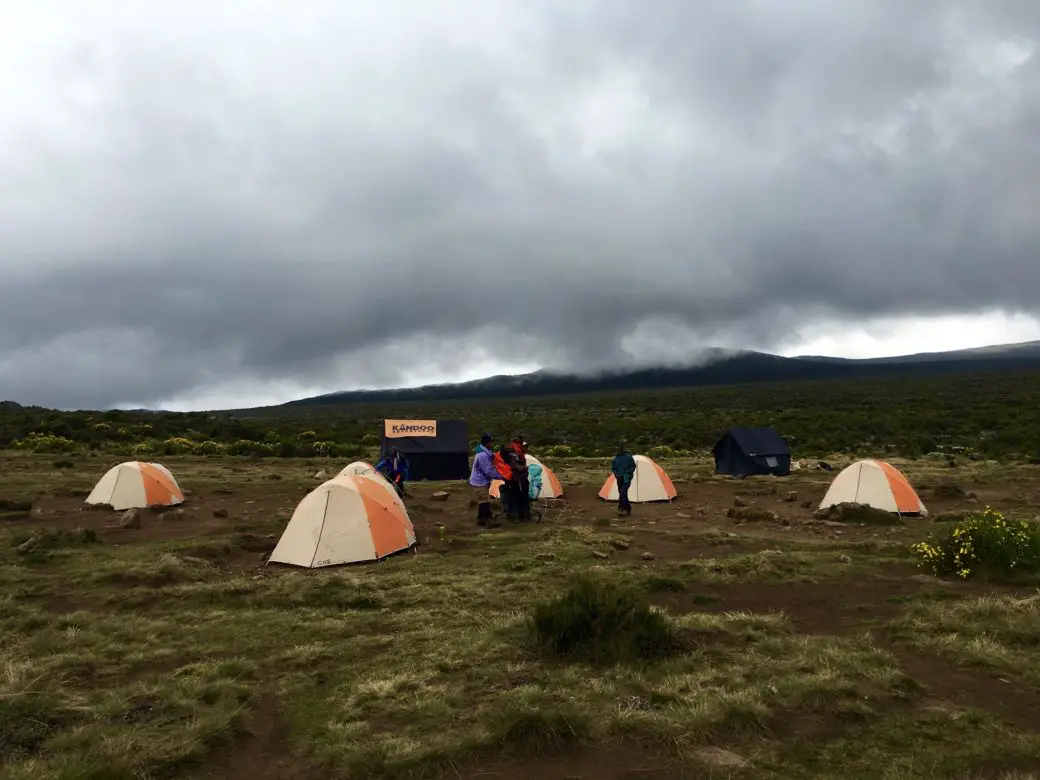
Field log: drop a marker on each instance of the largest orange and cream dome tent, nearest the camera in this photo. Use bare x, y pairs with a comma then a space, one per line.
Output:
346, 521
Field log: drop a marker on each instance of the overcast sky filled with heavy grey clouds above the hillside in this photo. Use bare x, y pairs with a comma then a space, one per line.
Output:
217, 204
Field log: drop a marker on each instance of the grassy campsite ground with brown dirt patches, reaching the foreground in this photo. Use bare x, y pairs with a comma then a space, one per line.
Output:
796, 647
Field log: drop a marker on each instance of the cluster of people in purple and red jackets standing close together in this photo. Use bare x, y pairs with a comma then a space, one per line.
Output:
508, 465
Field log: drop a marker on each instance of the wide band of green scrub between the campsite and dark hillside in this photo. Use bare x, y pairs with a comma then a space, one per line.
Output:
995, 415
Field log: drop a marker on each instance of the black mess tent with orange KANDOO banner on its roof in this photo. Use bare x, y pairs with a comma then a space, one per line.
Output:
436, 450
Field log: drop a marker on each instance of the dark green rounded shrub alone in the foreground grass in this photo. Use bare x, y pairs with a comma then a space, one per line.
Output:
601, 622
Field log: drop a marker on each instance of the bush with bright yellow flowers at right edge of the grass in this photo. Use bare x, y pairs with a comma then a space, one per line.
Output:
984, 542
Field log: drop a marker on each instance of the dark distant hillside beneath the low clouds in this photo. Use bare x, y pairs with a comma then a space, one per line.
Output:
723, 369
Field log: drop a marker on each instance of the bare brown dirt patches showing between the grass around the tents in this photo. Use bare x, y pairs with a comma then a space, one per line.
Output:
698, 526
